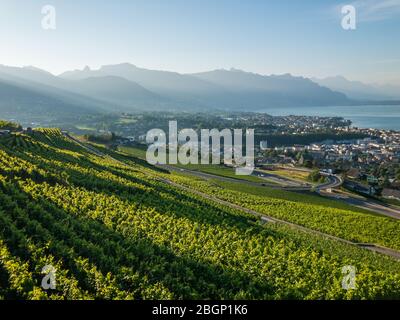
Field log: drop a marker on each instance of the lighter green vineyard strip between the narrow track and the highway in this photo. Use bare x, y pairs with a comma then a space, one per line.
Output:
350, 225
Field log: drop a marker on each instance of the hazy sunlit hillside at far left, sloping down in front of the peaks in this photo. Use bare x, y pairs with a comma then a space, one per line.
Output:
35, 93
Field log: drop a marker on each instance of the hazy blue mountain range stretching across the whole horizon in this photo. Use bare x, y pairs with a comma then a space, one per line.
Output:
128, 88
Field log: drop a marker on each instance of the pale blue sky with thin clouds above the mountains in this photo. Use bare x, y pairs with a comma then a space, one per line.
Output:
268, 37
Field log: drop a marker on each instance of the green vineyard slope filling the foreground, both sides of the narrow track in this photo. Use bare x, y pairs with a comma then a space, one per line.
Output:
113, 228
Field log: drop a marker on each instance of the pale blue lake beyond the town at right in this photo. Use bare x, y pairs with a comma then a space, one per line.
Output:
380, 117
